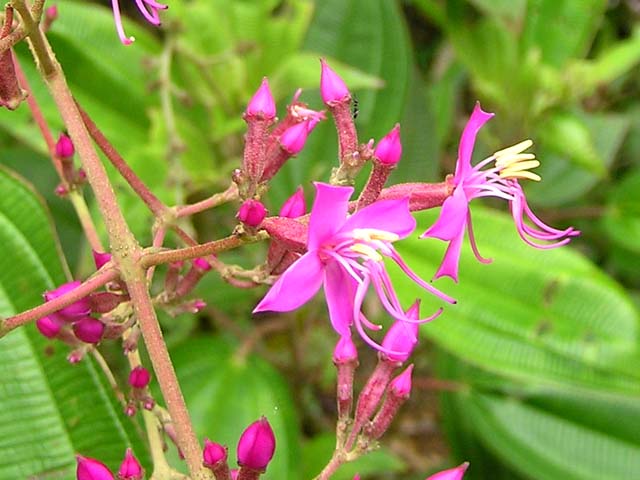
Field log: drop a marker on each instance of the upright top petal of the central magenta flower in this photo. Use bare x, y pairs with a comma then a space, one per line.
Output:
328, 213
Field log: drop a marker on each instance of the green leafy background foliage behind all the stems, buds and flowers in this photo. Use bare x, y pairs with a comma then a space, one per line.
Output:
534, 374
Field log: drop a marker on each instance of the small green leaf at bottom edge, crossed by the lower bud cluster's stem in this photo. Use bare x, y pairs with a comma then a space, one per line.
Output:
317, 452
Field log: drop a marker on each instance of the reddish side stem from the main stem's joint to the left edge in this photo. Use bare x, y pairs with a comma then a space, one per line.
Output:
104, 276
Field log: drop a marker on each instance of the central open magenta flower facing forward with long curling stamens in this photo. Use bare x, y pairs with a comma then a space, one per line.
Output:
345, 255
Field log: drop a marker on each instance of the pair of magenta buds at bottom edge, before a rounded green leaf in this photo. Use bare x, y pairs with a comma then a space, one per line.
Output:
256, 447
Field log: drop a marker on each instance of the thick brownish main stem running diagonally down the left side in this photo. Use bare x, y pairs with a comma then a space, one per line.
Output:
124, 247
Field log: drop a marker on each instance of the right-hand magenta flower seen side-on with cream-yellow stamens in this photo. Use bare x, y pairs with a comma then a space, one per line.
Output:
500, 180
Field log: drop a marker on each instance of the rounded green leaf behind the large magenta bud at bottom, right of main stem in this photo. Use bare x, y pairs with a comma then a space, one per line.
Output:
225, 393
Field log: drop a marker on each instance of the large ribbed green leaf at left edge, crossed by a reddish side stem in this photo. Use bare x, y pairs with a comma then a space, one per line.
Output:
49, 409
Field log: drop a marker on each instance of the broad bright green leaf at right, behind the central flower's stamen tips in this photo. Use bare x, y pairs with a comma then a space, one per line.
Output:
550, 317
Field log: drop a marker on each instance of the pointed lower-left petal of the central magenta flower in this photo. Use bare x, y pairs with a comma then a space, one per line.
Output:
295, 286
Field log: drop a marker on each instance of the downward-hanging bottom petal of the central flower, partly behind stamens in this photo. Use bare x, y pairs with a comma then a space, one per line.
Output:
340, 290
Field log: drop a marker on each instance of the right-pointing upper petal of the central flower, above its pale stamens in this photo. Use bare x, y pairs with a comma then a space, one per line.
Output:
388, 215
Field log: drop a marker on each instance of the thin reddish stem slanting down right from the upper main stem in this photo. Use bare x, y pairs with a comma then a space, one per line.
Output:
155, 205
